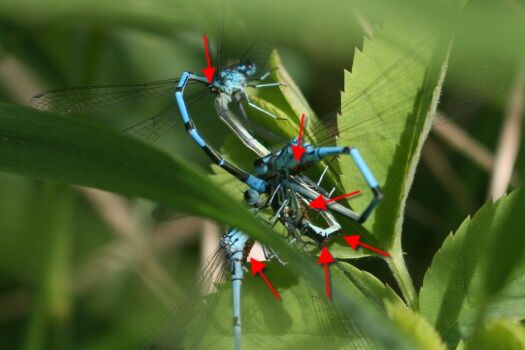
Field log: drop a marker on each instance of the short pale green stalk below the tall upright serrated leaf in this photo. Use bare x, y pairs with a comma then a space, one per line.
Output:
397, 265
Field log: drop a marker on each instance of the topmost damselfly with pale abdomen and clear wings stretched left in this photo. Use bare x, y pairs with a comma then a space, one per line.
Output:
229, 84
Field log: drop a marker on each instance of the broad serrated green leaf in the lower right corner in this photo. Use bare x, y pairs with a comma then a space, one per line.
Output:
455, 292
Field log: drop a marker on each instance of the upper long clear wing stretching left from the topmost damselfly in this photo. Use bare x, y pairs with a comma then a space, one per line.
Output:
90, 98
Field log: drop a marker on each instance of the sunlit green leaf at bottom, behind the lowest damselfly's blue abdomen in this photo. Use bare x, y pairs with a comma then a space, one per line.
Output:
302, 317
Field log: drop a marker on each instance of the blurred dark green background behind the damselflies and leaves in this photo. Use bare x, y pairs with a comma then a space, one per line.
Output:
85, 269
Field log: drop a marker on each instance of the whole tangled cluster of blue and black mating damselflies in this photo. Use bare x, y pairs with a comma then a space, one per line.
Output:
279, 185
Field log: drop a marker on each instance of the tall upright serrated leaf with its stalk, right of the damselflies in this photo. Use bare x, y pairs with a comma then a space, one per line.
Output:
387, 109
